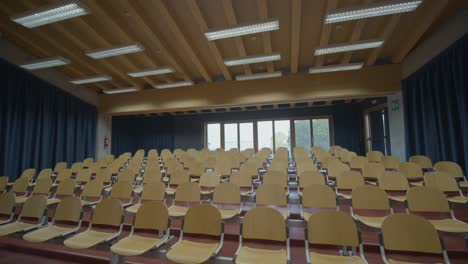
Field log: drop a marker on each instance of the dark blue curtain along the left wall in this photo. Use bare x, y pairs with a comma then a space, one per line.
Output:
40, 124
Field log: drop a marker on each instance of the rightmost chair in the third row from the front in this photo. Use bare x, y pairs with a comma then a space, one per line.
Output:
445, 182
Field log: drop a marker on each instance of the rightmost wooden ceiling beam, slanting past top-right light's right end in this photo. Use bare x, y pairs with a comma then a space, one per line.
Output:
432, 12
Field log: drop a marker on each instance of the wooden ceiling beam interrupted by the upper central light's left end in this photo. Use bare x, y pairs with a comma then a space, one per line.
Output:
198, 17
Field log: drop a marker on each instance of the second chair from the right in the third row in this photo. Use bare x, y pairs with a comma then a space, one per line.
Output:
394, 184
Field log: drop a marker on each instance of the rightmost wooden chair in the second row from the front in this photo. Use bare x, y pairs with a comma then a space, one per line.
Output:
426, 199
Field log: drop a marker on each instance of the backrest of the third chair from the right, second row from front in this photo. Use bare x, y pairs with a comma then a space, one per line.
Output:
318, 196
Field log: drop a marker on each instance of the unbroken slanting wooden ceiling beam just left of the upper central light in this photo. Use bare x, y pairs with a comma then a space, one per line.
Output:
174, 28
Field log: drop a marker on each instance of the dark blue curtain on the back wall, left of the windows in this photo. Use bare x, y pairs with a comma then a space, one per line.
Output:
130, 133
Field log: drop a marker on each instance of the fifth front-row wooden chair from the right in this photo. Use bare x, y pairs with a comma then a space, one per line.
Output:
151, 216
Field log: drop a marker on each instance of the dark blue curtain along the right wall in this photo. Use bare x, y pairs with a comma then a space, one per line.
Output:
436, 106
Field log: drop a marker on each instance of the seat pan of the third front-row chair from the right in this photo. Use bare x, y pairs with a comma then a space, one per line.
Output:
256, 255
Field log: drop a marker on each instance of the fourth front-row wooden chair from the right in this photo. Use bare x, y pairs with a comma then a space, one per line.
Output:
199, 220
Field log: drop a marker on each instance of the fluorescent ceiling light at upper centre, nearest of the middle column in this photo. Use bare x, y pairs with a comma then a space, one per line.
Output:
244, 29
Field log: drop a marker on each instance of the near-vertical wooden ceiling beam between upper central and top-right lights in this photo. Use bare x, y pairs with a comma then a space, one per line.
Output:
296, 16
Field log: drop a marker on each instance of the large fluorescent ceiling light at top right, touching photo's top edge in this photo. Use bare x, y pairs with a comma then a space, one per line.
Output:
372, 10
